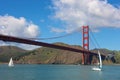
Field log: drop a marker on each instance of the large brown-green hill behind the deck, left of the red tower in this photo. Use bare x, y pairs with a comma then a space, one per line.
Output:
46, 55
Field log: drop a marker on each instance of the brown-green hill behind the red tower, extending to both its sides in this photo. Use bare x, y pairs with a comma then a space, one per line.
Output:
46, 55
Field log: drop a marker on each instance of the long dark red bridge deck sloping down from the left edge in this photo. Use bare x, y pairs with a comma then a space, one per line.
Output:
7, 38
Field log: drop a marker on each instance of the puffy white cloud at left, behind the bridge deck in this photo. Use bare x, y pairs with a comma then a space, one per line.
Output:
19, 27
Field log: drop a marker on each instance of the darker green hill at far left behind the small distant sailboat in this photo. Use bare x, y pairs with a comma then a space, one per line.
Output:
11, 51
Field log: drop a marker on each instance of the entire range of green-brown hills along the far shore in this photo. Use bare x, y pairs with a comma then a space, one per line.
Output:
46, 55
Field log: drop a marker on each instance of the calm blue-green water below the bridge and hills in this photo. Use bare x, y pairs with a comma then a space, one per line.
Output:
58, 72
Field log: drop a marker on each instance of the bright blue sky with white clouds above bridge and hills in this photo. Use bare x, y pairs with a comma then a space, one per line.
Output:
51, 18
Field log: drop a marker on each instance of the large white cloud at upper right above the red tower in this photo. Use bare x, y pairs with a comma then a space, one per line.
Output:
95, 13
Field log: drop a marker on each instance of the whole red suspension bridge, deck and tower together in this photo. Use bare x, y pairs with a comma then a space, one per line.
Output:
85, 50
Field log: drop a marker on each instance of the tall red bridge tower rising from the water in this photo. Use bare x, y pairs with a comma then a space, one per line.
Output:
85, 33
